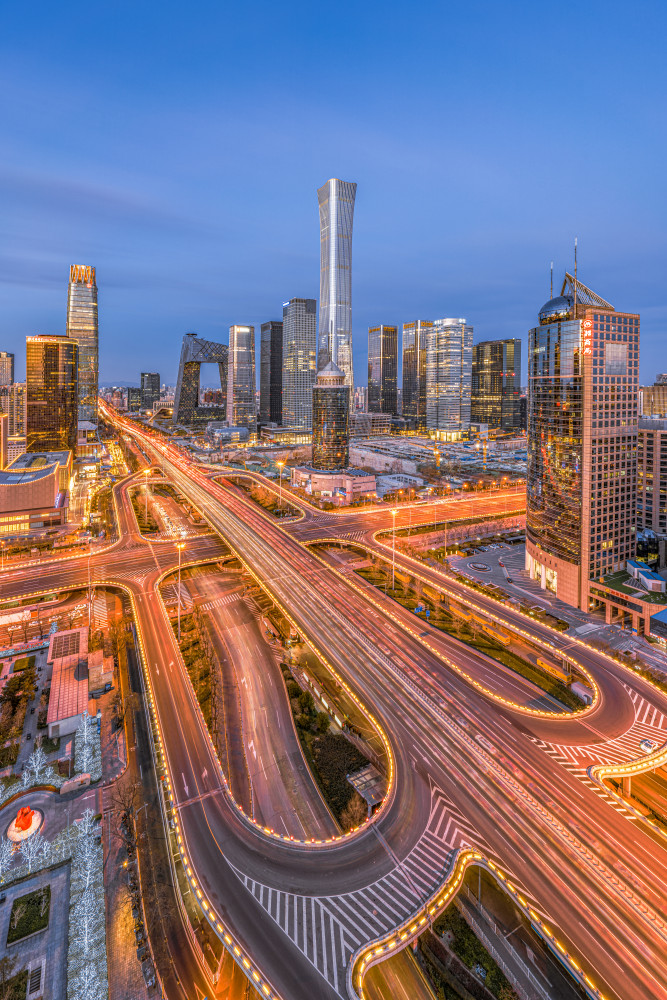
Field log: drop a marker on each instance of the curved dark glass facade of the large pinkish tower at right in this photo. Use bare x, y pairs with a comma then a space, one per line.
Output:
555, 439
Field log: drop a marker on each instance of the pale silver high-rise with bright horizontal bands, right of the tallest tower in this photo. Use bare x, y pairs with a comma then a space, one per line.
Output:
448, 375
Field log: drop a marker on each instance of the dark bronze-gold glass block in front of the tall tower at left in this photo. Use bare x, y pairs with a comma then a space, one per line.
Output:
51, 392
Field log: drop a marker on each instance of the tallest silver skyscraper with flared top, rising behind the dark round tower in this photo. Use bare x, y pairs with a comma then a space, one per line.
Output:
336, 201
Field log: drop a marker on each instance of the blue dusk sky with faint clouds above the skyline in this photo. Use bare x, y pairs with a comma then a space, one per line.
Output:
178, 148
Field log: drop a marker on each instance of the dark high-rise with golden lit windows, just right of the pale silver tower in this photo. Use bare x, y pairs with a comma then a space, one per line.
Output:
496, 390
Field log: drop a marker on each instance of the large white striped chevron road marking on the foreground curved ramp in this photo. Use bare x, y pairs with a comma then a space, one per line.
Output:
329, 929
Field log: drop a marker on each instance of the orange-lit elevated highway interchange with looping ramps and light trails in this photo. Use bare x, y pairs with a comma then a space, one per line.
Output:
297, 913
